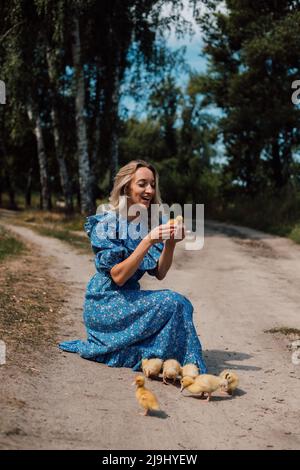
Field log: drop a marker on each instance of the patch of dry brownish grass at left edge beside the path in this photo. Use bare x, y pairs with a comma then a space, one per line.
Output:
30, 302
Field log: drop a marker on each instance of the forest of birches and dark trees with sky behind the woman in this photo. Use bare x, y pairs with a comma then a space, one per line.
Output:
91, 85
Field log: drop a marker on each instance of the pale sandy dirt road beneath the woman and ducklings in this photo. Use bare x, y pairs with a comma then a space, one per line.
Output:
241, 283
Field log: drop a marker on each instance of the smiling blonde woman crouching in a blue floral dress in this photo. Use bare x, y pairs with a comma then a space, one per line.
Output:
125, 324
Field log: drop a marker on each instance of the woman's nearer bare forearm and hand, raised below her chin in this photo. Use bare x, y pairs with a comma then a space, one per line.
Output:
121, 272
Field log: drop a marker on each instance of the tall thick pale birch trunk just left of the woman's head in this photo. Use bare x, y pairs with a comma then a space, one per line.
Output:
87, 205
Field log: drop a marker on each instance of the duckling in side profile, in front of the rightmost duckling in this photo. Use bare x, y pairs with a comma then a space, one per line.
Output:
204, 383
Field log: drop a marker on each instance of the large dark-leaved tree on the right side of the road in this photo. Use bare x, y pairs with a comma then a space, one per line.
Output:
253, 59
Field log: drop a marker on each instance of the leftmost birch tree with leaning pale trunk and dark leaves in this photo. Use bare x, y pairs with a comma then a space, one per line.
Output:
24, 70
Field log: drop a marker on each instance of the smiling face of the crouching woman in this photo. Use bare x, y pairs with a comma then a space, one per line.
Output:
142, 187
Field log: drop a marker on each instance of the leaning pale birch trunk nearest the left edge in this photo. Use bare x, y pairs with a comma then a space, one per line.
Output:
42, 158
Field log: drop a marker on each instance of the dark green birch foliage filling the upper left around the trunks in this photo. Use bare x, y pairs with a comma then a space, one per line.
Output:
32, 32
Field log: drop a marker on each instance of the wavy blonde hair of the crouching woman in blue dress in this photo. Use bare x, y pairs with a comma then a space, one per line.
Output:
122, 182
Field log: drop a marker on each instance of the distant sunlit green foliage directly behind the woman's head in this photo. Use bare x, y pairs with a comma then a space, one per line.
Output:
179, 138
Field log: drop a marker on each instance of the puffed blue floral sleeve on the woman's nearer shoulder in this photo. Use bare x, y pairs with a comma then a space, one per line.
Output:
103, 233
